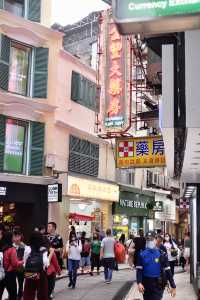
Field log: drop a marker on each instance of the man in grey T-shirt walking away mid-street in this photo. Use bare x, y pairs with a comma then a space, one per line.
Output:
108, 255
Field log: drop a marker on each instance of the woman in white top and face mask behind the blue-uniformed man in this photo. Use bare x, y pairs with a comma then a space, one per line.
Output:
172, 251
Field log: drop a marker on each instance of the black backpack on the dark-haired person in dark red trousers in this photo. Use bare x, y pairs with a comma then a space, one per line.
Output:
34, 263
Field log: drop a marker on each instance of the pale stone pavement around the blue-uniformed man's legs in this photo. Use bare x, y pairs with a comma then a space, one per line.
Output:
185, 290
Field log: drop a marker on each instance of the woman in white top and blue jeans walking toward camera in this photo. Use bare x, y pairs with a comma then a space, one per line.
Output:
73, 249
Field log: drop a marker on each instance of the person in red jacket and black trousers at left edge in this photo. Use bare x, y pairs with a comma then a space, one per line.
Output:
10, 265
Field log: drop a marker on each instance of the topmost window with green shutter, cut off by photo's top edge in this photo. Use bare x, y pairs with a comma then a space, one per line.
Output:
29, 9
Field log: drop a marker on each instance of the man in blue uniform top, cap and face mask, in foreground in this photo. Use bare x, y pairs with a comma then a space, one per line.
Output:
153, 271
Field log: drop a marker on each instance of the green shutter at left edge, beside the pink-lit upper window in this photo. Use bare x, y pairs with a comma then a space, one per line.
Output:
4, 61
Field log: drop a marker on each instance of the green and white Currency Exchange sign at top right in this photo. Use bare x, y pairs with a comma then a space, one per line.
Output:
156, 16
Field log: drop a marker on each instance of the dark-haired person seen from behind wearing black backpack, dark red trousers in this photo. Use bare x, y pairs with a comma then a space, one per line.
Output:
36, 263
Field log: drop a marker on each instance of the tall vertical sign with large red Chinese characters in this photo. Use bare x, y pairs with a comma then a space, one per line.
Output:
115, 78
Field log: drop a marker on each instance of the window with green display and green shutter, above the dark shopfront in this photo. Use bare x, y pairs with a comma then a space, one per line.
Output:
21, 146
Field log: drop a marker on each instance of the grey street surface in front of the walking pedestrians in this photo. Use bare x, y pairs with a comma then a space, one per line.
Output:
94, 288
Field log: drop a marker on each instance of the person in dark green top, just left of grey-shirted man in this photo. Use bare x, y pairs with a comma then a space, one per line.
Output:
95, 253
